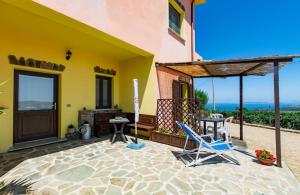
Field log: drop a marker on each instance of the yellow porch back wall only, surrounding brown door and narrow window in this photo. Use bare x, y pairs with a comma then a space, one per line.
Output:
76, 83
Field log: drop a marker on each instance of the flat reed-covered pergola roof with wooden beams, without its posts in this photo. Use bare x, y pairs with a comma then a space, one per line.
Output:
259, 66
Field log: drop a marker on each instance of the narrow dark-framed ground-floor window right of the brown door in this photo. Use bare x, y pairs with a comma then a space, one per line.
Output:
103, 92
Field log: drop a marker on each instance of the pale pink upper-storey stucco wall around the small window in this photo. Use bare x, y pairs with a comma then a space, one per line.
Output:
143, 23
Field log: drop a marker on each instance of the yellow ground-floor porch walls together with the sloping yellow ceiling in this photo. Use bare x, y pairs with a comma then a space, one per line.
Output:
30, 36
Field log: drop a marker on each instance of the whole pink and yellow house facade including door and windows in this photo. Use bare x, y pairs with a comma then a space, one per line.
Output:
59, 57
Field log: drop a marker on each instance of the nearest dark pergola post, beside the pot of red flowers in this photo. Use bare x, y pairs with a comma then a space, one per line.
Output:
277, 113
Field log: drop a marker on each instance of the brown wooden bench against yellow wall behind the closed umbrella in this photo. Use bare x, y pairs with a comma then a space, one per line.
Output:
145, 126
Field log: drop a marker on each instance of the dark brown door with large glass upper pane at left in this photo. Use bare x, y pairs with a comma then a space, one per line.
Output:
35, 106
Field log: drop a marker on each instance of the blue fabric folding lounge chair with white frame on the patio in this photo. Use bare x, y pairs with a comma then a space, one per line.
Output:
218, 147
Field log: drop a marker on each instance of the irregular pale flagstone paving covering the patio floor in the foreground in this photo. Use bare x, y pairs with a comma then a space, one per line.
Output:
102, 168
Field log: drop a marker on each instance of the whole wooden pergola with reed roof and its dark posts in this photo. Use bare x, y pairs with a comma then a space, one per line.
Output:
259, 66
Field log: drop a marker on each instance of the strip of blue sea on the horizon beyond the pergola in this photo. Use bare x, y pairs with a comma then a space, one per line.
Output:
254, 106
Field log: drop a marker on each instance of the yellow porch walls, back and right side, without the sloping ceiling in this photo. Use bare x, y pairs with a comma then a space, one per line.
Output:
76, 82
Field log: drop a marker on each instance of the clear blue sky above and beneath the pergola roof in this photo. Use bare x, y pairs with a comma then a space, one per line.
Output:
250, 28
